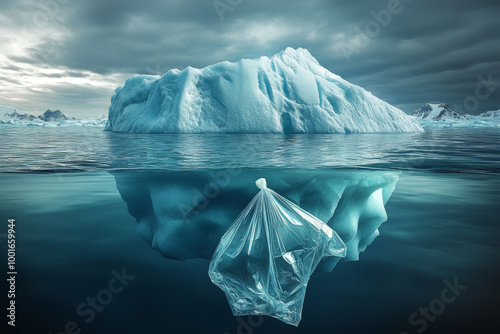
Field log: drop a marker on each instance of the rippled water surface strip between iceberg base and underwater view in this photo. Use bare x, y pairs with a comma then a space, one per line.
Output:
91, 149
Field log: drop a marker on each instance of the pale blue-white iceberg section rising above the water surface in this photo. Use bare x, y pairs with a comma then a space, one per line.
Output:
289, 92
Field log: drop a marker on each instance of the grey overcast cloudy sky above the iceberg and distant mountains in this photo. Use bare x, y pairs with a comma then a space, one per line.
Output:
70, 55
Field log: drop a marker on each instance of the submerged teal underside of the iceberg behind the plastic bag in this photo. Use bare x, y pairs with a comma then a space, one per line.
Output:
183, 215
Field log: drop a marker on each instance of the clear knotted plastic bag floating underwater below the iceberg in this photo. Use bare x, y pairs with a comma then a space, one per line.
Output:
265, 259
